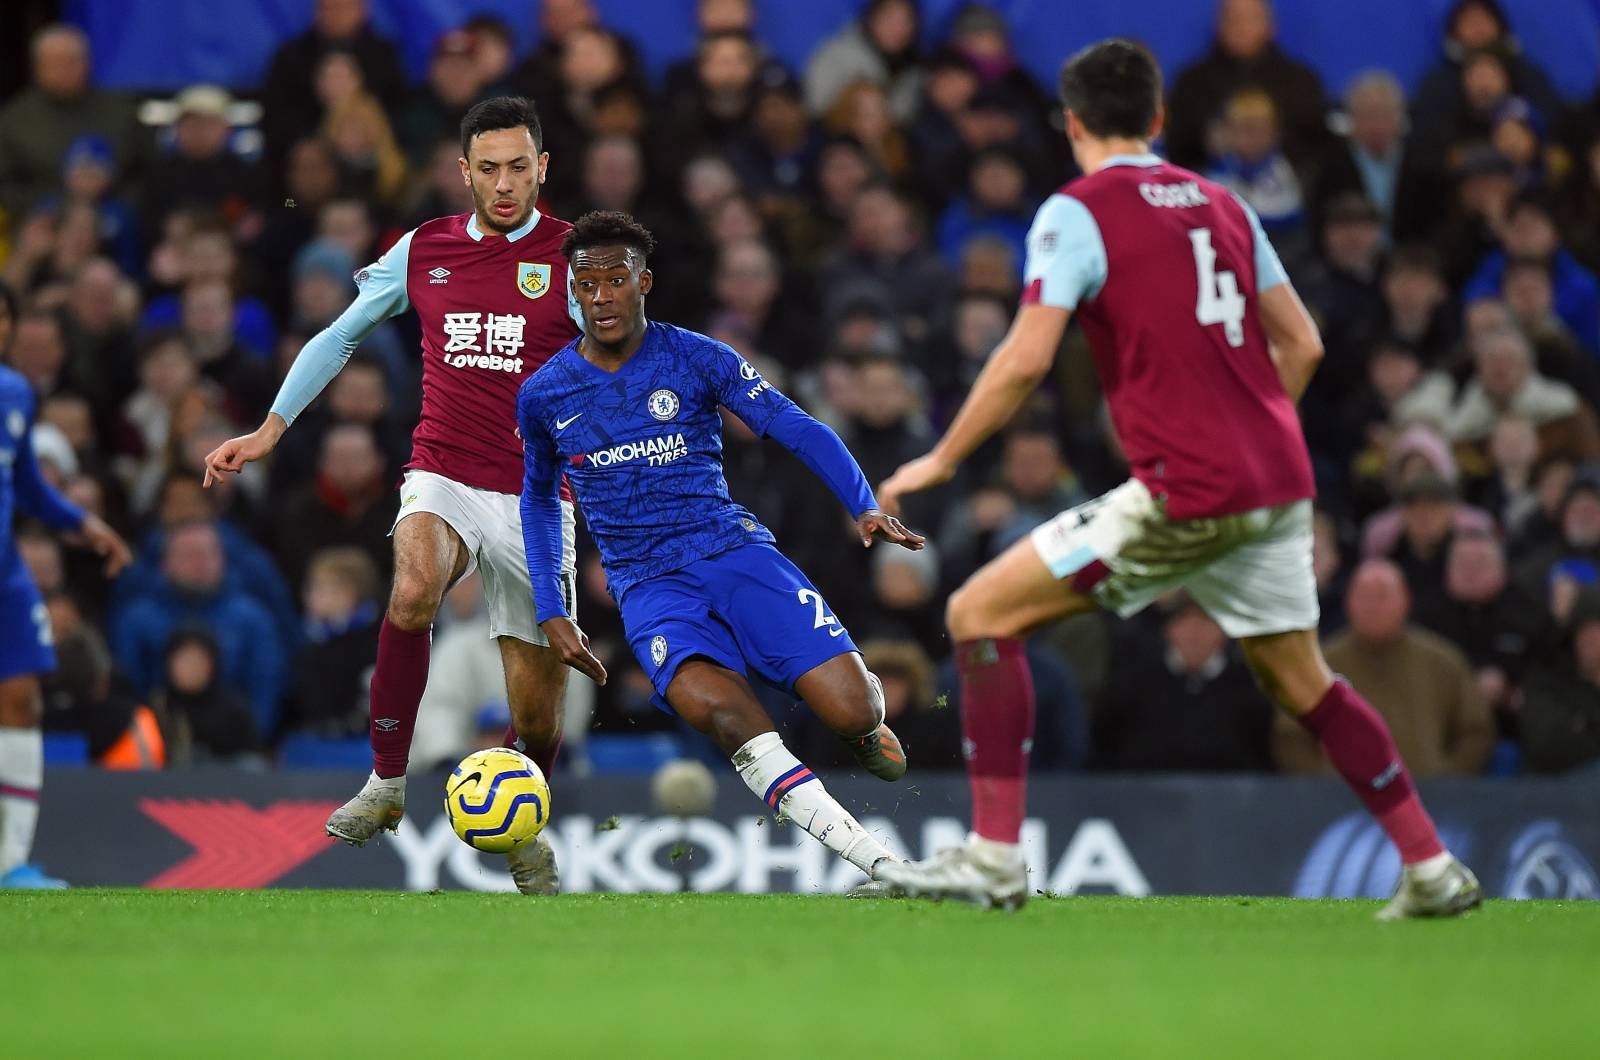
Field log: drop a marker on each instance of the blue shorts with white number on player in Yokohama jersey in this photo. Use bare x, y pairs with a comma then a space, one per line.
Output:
748, 609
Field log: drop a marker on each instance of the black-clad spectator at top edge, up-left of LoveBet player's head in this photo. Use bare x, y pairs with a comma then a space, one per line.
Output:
290, 94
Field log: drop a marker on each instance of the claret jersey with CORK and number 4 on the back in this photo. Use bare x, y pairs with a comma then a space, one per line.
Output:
1162, 270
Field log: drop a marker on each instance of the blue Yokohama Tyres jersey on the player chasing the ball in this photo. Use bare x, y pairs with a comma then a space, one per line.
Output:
642, 448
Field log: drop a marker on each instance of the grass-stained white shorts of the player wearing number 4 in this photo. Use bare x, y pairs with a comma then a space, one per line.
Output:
1252, 572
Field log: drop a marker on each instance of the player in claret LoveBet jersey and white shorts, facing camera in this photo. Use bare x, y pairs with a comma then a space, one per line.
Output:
490, 291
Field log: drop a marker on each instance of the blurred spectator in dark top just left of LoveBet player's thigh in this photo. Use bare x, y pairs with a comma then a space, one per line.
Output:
334, 667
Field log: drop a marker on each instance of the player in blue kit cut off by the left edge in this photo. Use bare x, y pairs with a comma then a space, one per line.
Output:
25, 622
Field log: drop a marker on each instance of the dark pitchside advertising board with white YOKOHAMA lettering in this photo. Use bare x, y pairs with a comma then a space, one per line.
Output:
1135, 837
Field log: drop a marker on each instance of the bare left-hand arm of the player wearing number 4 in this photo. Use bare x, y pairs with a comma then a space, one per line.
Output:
1015, 371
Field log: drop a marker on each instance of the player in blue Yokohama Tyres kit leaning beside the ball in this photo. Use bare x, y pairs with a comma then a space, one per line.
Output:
630, 412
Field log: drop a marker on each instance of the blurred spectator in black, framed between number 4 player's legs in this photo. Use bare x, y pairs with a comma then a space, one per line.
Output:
1198, 710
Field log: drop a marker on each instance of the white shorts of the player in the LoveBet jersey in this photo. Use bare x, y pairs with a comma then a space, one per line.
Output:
490, 524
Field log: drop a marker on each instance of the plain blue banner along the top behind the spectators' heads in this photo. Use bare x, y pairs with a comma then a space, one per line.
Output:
170, 44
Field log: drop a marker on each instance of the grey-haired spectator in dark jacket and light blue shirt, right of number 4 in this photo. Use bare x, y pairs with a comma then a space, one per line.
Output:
1377, 159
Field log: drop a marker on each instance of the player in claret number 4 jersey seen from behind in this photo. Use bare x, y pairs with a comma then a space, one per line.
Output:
1204, 348
